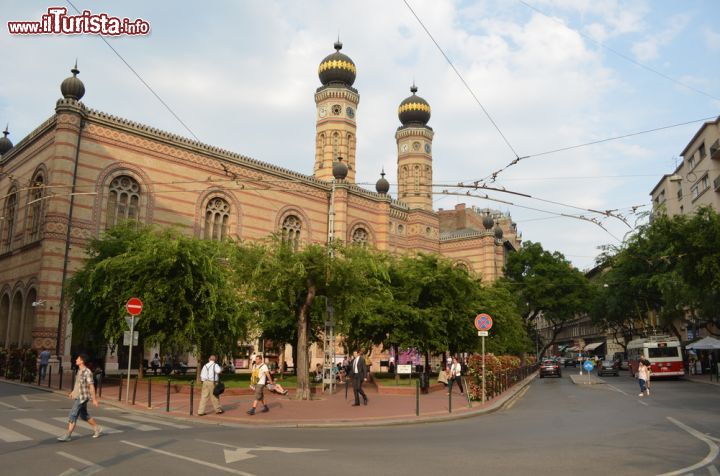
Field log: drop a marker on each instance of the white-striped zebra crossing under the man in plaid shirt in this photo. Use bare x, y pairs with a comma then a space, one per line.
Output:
37, 429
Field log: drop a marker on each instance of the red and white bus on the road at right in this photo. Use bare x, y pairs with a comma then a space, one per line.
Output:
663, 352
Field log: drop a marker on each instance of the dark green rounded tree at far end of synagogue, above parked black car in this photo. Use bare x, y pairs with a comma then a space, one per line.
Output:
547, 286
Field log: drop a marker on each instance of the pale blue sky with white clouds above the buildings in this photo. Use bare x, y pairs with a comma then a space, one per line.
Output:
541, 75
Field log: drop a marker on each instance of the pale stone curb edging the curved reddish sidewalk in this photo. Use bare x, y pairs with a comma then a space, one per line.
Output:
503, 401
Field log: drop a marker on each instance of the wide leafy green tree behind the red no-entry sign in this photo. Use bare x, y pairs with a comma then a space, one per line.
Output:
191, 298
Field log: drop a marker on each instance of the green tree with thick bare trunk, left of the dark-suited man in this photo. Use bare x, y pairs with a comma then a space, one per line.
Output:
291, 288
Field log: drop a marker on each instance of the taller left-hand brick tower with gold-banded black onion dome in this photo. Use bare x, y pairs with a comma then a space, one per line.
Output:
336, 102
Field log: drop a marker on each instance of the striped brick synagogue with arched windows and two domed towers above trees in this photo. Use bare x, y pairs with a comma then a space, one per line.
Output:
82, 171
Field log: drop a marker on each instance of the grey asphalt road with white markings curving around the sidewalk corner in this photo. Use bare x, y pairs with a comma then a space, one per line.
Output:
553, 428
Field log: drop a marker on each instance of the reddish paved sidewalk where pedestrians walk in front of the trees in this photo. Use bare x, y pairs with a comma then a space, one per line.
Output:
324, 411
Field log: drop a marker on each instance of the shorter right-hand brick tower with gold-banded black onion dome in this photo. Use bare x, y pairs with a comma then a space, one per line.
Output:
414, 141
